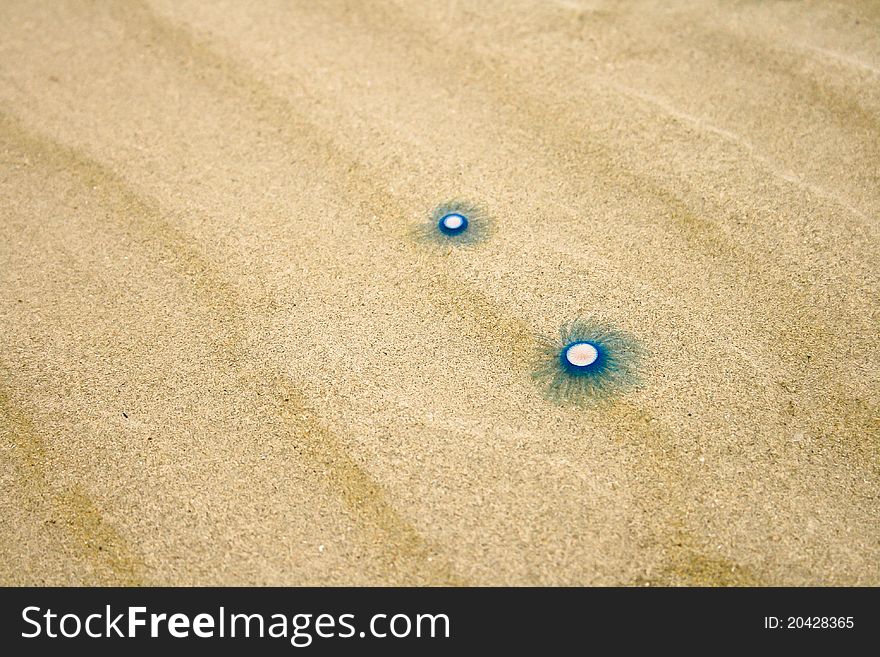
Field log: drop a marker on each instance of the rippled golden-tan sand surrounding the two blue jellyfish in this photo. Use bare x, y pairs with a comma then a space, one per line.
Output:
225, 360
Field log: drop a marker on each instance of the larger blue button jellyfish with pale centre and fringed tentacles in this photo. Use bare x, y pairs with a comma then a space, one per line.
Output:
589, 362
